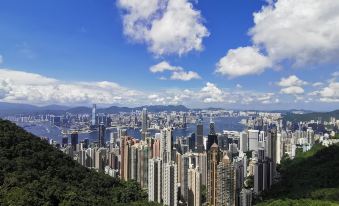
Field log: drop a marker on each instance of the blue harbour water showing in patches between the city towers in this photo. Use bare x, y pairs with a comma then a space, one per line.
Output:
46, 130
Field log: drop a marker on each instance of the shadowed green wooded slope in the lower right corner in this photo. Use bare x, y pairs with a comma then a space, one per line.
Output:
312, 178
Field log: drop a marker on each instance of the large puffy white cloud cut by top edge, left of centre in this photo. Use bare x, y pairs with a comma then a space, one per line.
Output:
166, 26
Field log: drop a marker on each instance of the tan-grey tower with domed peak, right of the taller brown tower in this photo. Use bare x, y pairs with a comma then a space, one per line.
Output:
225, 182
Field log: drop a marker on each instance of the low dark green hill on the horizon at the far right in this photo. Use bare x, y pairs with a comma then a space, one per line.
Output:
324, 116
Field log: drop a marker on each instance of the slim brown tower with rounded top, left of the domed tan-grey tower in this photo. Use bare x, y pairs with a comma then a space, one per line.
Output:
213, 160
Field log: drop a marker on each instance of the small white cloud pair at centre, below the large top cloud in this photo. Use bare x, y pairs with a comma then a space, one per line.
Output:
178, 73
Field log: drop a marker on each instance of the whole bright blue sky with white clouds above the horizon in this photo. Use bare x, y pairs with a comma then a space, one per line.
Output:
230, 57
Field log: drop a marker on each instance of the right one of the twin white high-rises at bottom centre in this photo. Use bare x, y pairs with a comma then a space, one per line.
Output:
170, 194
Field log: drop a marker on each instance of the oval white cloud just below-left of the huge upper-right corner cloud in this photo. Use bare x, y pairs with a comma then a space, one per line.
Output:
242, 61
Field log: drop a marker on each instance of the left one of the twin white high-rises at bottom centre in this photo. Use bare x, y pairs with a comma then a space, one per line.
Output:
155, 180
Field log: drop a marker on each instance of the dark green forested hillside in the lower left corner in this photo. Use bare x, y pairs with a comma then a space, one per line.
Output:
32, 172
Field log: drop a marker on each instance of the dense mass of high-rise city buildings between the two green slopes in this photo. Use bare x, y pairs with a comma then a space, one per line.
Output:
221, 168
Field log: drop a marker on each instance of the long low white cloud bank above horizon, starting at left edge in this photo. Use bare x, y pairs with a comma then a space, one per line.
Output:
24, 87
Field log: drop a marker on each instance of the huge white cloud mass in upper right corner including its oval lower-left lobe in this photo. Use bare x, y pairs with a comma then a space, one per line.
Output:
299, 32
